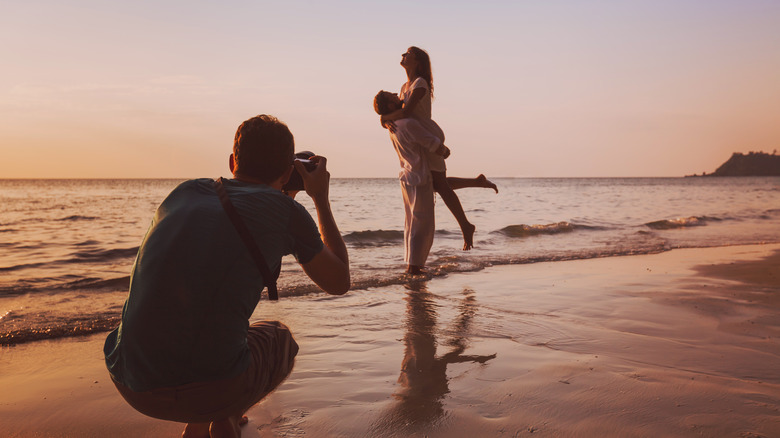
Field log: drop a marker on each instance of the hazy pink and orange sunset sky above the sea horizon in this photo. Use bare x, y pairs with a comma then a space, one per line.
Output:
95, 89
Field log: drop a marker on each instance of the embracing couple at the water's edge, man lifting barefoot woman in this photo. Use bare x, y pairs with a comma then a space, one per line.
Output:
419, 142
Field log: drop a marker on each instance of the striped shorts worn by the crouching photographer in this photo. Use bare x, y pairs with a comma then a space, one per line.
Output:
273, 352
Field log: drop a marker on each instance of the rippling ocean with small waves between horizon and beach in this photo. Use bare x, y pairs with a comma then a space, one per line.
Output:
67, 246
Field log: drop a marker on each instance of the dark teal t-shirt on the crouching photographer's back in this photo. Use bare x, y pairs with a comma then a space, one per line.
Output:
194, 285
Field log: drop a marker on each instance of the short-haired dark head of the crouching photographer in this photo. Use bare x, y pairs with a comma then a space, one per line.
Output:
263, 148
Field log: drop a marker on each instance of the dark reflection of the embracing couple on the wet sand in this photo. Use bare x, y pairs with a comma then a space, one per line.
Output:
423, 380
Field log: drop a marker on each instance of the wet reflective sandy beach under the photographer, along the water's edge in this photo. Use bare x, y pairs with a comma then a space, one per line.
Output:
684, 343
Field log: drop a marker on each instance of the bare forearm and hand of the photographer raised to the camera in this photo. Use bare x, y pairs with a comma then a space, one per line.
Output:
329, 269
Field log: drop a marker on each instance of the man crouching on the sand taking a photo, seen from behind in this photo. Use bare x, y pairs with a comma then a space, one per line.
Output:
185, 350
